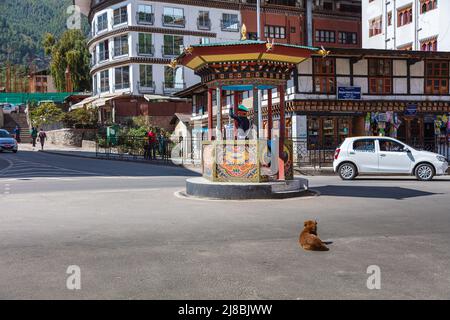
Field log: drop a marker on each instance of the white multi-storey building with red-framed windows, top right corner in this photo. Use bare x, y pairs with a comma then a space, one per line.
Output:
406, 24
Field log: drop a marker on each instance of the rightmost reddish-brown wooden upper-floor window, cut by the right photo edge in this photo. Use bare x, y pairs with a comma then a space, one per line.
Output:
436, 77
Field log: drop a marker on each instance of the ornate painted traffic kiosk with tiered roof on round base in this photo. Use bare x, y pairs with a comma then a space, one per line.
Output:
252, 161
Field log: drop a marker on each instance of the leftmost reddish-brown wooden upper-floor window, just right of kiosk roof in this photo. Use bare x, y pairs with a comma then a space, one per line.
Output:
324, 75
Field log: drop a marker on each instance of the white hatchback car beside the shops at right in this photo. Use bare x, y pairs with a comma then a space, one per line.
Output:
383, 155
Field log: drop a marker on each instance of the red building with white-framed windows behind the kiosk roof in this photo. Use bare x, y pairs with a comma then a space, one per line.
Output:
312, 22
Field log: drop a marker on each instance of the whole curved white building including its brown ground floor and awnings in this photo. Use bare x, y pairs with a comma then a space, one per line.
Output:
132, 43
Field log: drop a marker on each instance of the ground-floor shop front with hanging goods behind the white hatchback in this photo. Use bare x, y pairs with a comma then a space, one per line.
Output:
423, 125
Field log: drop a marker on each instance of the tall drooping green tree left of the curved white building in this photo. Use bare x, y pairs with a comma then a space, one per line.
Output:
70, 50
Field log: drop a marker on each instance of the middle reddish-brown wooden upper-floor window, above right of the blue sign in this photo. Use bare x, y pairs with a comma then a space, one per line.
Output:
380, 76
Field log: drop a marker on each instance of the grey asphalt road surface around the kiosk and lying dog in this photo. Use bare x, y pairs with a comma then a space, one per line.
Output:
134, 239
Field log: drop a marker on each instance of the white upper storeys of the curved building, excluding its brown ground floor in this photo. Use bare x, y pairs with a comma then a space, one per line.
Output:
133, 41
